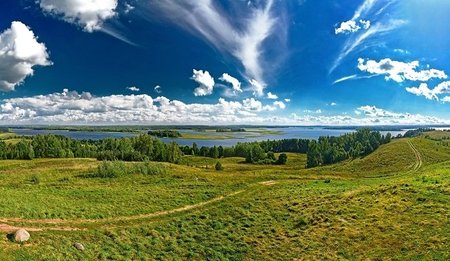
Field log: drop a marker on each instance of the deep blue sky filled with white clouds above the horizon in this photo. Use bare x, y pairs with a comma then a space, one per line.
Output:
210, 62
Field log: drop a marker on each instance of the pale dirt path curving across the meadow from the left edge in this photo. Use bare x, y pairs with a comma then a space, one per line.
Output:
70, 225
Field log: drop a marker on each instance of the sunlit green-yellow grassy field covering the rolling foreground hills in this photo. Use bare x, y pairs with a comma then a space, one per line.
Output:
392, 204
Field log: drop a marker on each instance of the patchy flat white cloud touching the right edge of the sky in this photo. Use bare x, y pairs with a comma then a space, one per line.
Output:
399, 71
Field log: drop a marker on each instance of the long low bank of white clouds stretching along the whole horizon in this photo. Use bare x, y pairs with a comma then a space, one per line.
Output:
71, 107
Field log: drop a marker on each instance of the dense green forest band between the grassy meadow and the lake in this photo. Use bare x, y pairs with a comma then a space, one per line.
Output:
326, 150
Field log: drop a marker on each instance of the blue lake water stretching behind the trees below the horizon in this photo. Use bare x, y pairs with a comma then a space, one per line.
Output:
249, 136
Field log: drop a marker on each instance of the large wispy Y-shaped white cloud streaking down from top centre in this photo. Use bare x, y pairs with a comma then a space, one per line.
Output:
242, 39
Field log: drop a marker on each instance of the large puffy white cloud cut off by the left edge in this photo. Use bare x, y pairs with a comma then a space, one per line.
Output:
20, 51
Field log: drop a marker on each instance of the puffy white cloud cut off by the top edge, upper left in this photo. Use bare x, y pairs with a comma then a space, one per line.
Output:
89, 14
